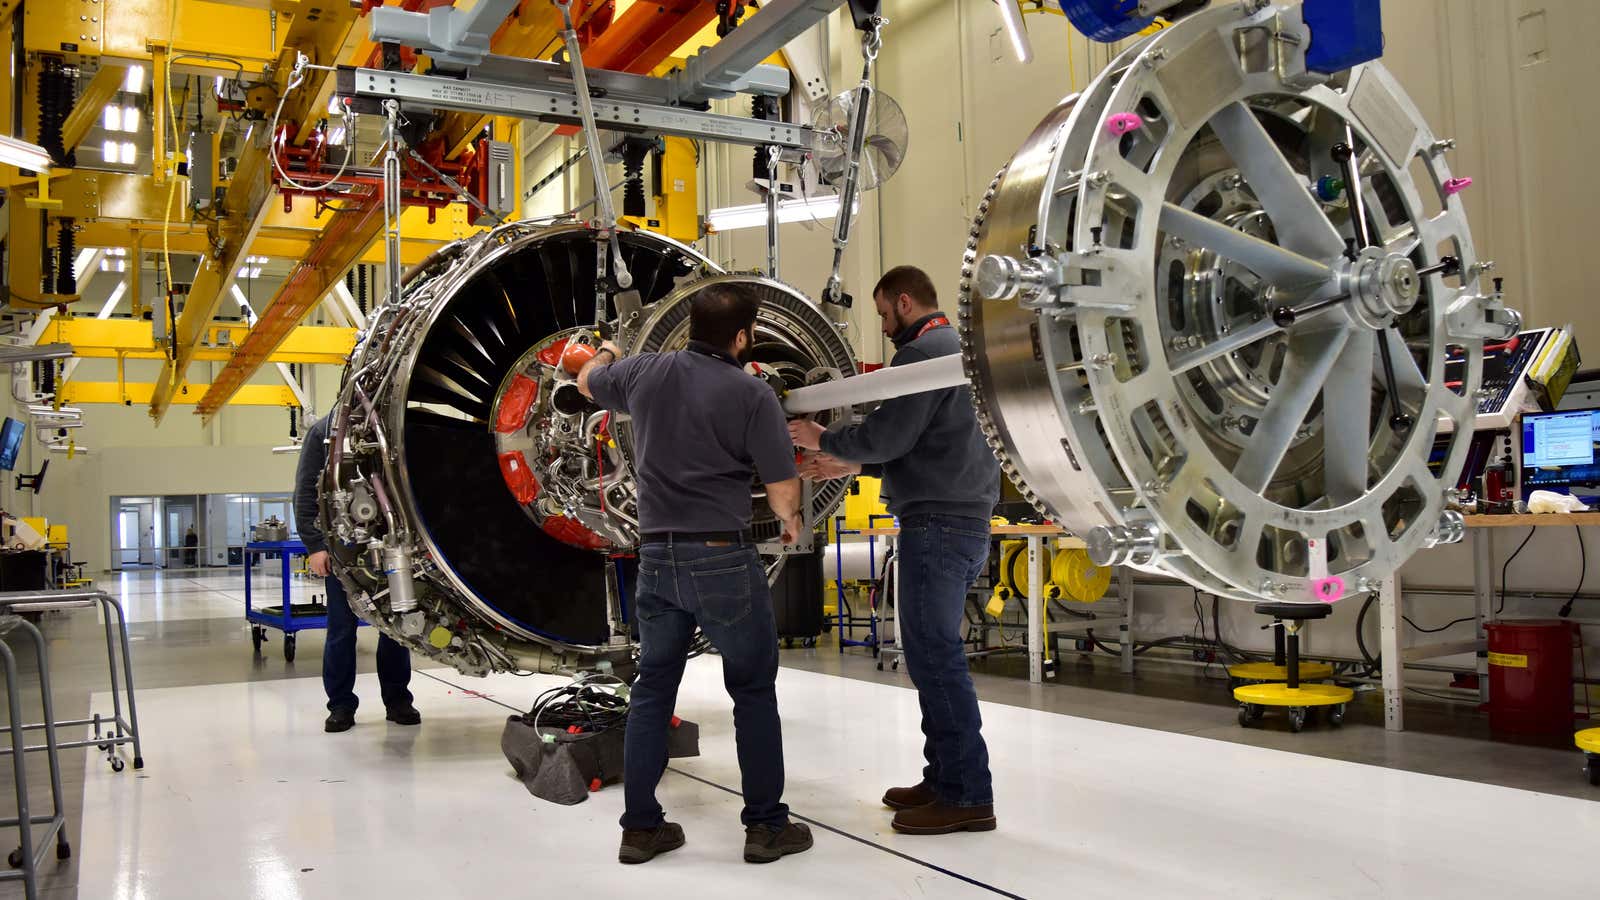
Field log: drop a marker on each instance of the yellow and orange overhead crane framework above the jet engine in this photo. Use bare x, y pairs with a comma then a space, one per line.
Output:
228, 215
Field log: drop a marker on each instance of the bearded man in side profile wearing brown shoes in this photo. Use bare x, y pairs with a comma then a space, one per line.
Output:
943, 483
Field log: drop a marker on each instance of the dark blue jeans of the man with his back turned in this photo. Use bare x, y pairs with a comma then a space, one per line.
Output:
724, 592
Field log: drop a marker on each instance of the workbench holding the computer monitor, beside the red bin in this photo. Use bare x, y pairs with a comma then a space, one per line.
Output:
1481, 539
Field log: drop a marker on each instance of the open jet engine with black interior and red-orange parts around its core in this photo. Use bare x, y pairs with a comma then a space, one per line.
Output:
473, 494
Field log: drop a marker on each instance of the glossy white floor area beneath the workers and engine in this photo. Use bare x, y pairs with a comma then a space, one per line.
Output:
244, 797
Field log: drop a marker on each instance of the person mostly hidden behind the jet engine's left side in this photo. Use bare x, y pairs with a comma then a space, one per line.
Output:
338, 651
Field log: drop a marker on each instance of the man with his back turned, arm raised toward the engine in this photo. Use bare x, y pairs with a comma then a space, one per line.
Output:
702, 430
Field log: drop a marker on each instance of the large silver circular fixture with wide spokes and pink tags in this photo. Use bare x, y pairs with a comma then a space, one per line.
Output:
1207, 311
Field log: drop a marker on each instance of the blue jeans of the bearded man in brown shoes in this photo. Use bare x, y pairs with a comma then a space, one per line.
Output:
940, 558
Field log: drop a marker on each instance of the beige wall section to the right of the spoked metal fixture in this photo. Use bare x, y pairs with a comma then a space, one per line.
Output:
1511, 81
